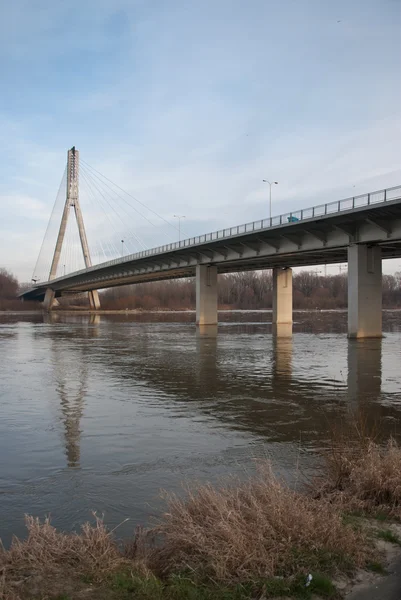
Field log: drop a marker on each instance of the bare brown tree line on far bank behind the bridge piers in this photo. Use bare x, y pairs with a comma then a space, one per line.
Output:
250, 290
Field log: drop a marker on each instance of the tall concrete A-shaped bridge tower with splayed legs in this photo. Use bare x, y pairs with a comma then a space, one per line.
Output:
72, 201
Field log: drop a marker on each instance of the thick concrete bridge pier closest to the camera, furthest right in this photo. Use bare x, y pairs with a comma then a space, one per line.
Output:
364, 291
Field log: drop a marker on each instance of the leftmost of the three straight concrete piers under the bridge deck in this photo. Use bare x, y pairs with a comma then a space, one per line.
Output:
206, 295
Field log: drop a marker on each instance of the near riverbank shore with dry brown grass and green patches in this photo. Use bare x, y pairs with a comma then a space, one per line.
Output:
243, 540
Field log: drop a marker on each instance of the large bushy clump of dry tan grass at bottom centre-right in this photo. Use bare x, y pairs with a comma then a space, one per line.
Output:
251, 530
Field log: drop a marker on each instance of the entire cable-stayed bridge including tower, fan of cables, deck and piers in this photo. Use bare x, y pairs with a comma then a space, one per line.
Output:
361, 230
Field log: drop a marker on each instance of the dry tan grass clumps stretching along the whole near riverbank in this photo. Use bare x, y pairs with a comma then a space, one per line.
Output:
238, 533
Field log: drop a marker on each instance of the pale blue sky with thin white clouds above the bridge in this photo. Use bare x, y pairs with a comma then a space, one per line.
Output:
190, 105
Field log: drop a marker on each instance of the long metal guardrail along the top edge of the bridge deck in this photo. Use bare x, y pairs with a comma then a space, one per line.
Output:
290, 218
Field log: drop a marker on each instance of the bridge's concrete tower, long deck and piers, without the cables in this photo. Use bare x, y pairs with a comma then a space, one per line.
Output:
362, 230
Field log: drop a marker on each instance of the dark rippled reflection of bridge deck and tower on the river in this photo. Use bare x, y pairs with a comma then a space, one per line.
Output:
261, 391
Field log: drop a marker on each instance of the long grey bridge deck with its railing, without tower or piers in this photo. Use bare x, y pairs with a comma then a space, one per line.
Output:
317, 235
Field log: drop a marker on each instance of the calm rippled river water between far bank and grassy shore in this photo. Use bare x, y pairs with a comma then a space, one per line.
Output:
100, 413
